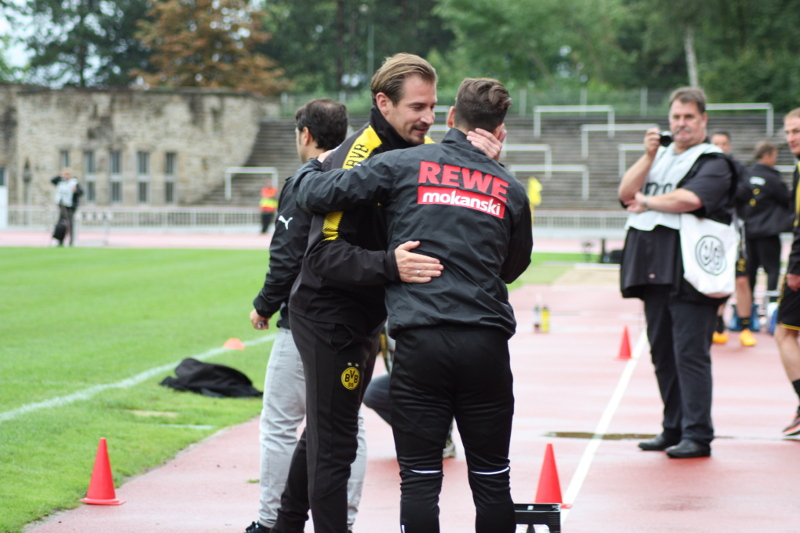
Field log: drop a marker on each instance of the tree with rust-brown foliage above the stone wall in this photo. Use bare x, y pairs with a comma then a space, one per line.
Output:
208, 43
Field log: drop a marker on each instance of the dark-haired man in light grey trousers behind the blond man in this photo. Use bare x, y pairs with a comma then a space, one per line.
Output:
320, 125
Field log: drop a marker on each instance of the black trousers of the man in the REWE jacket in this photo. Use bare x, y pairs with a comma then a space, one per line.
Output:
439, 373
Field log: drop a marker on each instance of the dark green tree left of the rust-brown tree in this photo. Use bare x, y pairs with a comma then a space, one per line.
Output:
82, 42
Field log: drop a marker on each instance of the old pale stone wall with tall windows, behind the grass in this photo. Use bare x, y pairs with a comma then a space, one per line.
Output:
205, 131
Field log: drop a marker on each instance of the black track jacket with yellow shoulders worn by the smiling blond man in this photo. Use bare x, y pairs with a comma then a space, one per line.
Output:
346, 261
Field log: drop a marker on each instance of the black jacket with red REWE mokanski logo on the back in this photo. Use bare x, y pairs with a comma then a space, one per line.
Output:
464, 208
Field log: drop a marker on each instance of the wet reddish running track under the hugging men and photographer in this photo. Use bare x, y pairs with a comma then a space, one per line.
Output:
568, 383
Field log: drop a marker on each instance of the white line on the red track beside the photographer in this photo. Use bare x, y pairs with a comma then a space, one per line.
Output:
602, 426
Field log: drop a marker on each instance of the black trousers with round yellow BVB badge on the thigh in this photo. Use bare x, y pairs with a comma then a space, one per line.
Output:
338, 364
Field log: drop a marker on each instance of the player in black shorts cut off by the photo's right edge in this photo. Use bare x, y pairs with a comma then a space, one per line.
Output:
786, 334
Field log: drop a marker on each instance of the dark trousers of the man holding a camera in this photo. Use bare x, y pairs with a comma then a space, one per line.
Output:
680, 344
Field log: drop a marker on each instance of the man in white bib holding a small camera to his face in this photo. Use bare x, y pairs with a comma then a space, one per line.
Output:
686, 175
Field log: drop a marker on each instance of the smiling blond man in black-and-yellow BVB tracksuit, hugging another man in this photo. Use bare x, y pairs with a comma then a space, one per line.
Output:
337, 302
